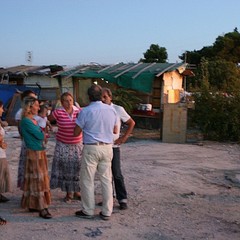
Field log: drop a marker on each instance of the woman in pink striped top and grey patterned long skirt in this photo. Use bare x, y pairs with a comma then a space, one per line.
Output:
66, 164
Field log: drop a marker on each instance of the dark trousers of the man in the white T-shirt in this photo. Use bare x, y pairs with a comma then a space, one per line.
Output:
118, 179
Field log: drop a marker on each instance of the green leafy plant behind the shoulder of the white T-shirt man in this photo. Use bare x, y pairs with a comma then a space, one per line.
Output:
125, 98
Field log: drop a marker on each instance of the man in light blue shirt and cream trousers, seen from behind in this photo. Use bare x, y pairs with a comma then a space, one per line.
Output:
98, 124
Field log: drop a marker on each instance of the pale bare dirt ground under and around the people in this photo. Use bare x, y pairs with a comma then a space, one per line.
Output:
176, 191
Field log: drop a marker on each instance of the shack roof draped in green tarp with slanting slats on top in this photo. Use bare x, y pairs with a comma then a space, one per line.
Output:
137, 76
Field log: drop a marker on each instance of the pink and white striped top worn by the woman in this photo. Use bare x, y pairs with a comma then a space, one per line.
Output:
66, 125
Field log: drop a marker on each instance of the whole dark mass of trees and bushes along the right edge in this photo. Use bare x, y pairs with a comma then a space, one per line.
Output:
217, 88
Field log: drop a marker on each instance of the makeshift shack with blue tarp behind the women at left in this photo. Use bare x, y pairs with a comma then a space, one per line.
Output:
20, 78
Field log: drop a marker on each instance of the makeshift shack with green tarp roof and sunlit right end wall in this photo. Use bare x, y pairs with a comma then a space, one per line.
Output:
155, 83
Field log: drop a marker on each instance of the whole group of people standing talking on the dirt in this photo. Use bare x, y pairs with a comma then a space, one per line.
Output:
87, 141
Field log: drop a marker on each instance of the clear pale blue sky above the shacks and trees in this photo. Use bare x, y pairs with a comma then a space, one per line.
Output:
74, 32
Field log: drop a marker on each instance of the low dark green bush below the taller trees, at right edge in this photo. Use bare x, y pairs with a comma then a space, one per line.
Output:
217, 114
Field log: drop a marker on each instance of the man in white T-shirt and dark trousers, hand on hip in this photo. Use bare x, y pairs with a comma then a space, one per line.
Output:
124, 117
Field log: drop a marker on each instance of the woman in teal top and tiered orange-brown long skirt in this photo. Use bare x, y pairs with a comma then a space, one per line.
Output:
36, 187
